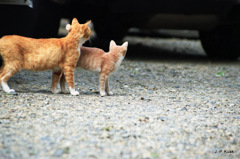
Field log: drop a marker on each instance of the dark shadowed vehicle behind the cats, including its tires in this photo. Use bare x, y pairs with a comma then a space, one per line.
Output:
218, 21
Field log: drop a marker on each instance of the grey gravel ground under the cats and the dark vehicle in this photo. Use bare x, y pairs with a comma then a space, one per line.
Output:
174, 105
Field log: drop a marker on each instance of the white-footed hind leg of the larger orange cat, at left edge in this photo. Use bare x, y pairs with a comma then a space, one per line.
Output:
6, 72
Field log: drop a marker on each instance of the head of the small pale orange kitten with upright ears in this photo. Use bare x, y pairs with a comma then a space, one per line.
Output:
119, 49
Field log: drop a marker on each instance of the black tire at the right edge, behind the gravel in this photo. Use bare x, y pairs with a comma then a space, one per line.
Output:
222, 43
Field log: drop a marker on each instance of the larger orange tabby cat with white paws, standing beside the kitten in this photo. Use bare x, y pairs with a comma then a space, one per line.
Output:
22, 53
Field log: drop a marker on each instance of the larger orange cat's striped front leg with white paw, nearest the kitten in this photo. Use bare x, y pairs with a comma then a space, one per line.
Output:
69, 75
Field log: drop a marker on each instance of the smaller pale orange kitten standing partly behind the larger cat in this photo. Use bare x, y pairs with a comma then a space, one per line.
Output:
97, 60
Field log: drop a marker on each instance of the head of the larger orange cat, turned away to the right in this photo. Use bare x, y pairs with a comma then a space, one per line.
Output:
83, 29
